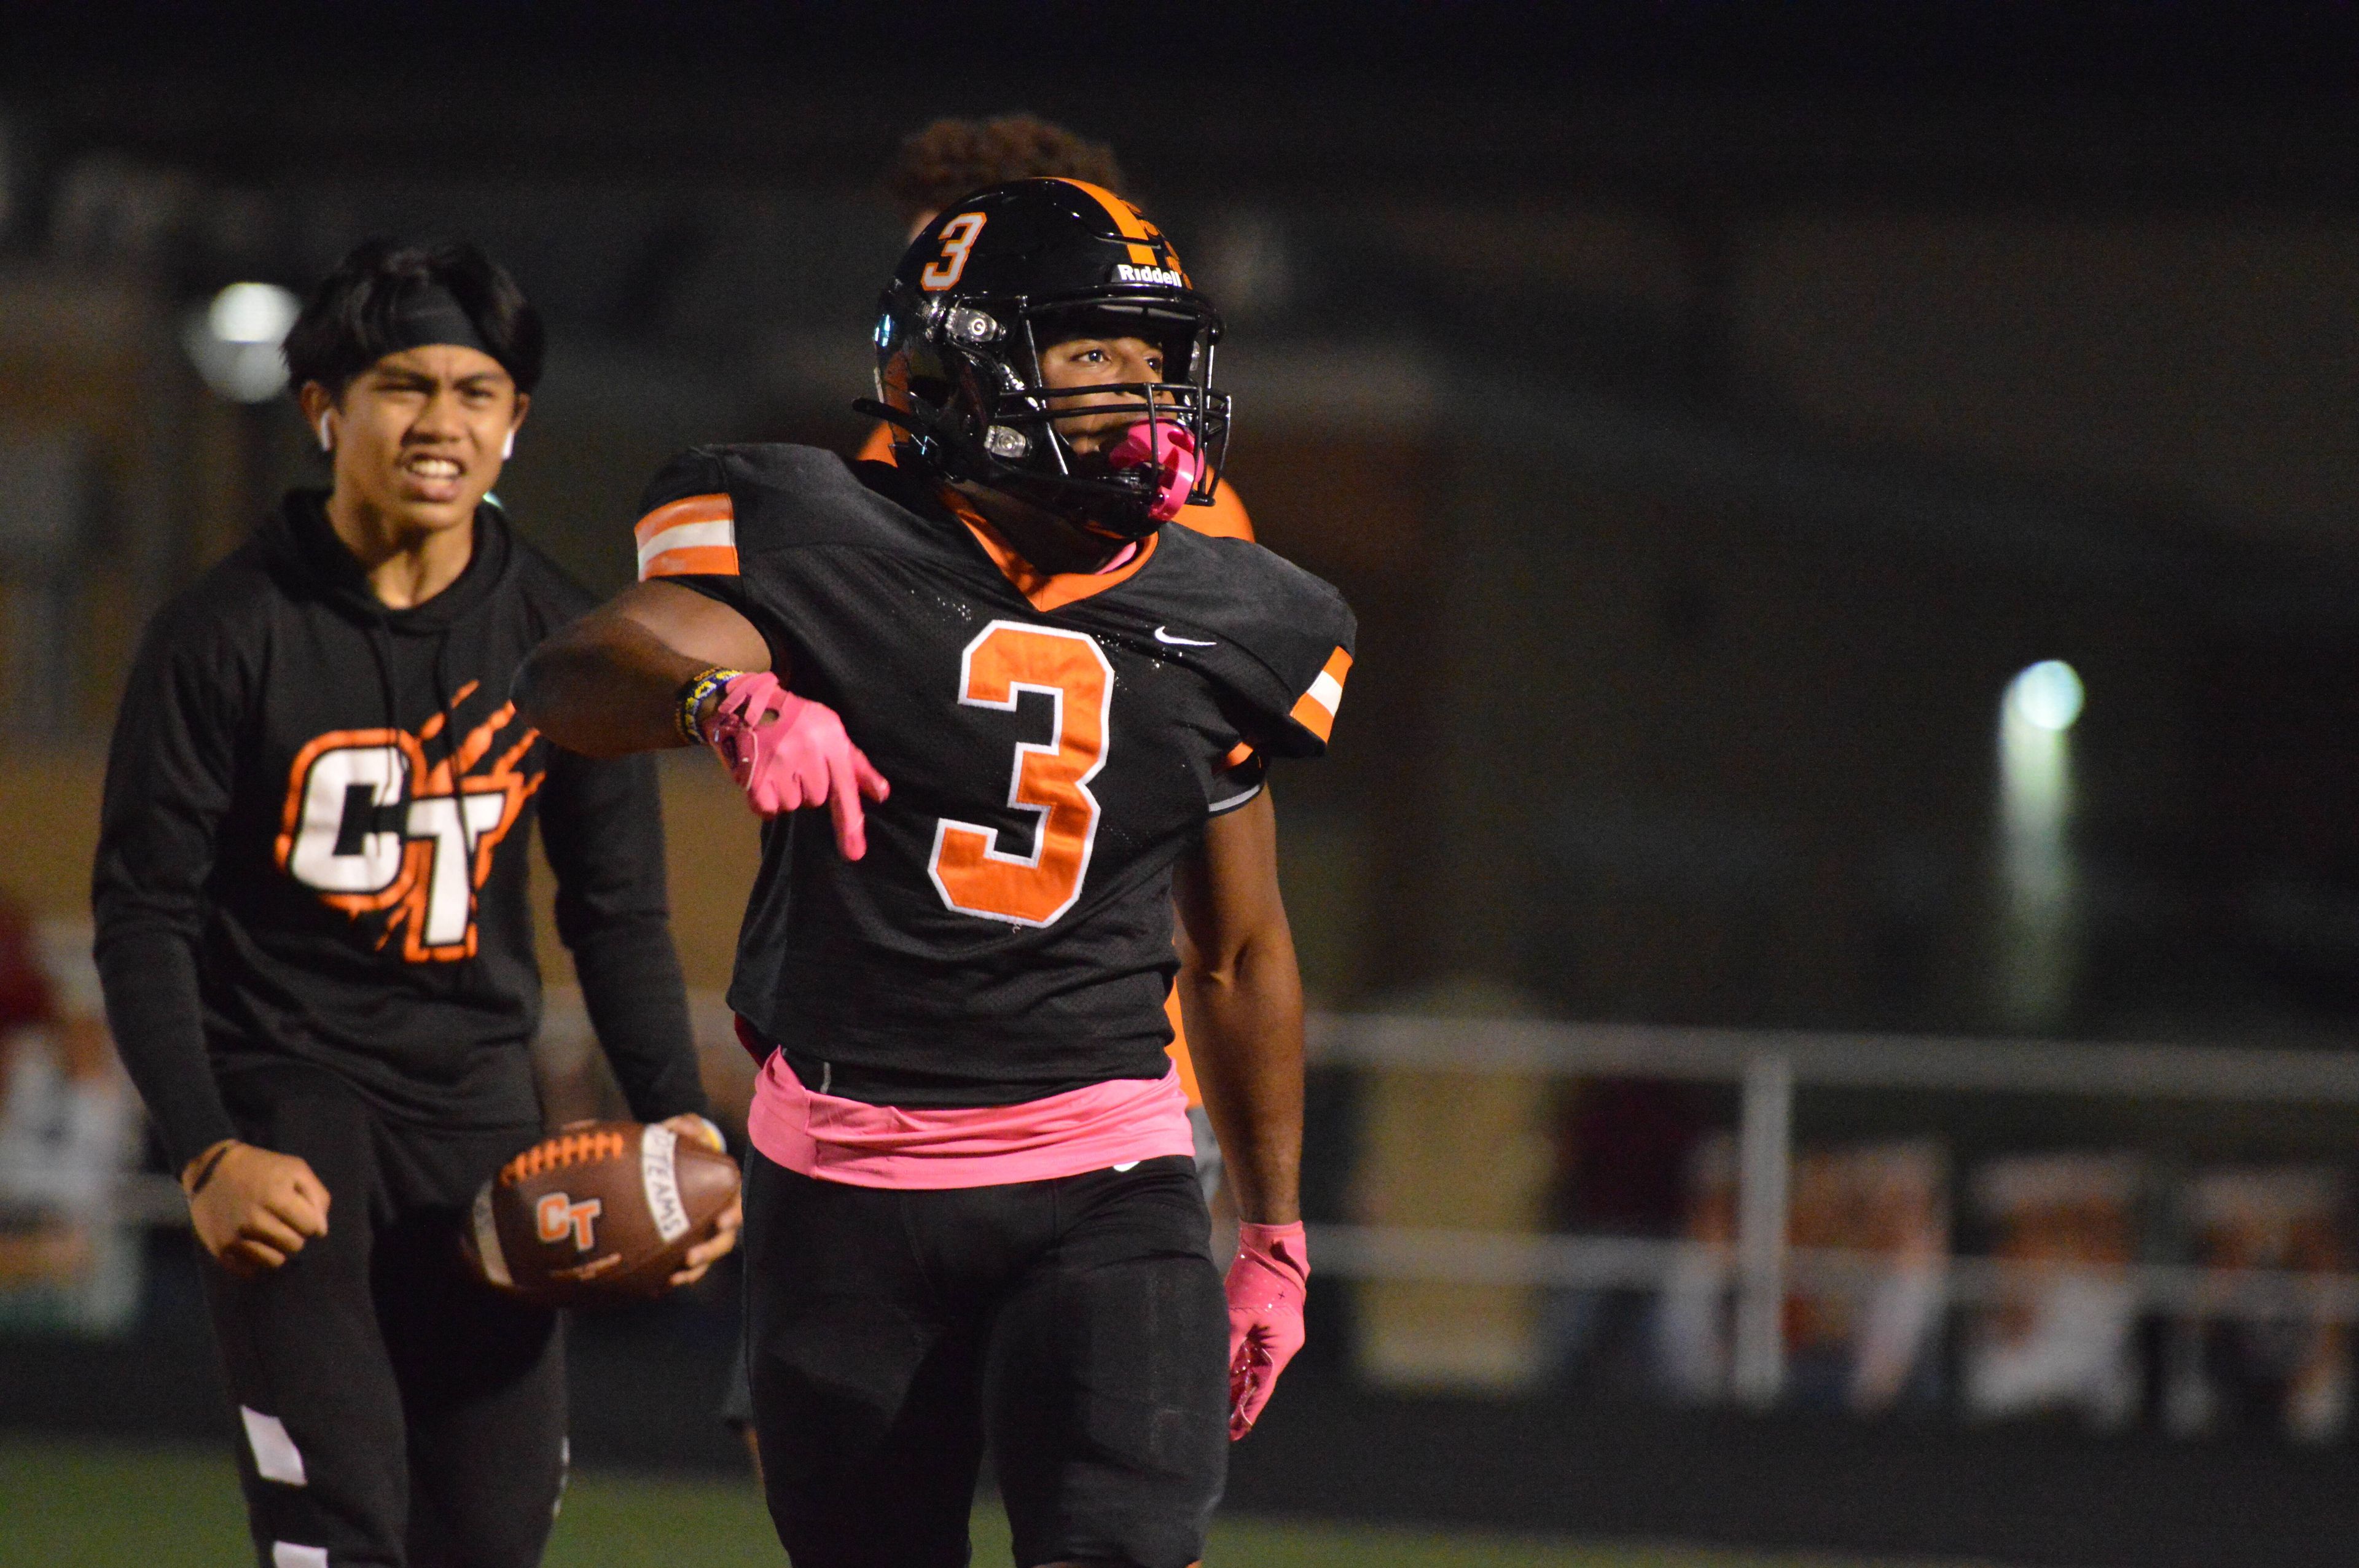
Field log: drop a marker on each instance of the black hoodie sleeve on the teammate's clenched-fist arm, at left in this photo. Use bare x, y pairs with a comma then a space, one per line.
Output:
169, 779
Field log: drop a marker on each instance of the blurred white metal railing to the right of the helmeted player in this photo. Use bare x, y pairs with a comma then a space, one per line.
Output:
1768, 1067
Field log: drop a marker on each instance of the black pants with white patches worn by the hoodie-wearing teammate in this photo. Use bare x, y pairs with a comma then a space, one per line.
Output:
393, 1409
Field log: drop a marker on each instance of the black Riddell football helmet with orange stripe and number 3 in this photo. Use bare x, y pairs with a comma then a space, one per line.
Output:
1011, 272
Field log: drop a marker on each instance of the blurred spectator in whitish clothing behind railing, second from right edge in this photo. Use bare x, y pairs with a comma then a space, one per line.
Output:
2063, 1336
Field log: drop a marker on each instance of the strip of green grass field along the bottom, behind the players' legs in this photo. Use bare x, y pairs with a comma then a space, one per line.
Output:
88, 1506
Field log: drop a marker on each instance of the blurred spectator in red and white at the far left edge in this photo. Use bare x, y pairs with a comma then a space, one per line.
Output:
67, 1133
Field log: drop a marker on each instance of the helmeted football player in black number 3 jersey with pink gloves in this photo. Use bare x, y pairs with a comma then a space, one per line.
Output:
1034, 713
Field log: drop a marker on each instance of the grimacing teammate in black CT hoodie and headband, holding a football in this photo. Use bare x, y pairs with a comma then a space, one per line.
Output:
317, 944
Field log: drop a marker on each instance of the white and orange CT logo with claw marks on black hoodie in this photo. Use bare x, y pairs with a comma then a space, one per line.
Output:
372, 826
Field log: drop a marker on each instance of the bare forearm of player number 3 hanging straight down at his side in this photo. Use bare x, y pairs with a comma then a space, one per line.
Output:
1242, 999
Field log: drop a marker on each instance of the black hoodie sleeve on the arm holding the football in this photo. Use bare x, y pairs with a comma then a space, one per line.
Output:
603, 829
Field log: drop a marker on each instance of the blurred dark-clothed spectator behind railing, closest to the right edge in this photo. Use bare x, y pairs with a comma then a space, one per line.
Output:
2263, 1355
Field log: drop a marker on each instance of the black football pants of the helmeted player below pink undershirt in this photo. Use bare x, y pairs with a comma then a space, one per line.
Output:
1079, 1324
